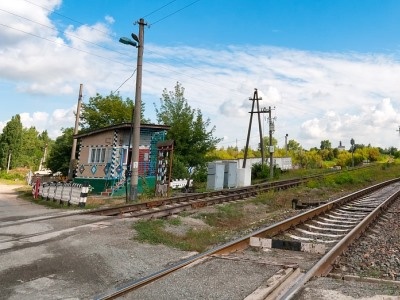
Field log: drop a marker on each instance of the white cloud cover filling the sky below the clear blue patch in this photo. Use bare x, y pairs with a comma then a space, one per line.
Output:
317, 96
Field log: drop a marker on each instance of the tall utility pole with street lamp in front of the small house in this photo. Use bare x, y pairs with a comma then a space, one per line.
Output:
136, 120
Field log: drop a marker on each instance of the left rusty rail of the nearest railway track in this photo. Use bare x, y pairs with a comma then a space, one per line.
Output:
243, 242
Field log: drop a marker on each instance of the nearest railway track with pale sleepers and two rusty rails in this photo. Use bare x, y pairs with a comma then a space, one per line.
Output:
334, 225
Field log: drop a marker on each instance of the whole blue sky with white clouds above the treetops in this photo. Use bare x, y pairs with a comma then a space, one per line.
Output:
330, 69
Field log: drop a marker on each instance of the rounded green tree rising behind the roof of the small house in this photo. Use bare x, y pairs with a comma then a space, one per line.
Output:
106, 111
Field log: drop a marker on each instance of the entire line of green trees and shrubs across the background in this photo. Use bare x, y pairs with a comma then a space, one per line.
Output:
195, 143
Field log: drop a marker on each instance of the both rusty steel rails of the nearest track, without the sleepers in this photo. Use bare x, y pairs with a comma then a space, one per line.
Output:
242, 243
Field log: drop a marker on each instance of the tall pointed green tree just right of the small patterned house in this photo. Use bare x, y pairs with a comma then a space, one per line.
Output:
193, 139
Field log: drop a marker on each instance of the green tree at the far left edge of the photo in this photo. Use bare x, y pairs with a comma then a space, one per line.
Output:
11, 143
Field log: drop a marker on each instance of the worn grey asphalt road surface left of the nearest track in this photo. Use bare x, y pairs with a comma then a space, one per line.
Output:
77, 256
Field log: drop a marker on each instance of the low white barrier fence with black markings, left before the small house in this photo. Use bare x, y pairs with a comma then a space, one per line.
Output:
70, 193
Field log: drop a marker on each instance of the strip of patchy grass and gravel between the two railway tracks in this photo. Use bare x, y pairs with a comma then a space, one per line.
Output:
224, 222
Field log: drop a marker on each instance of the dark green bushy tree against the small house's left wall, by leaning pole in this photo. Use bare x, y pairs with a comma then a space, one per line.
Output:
60, 153
